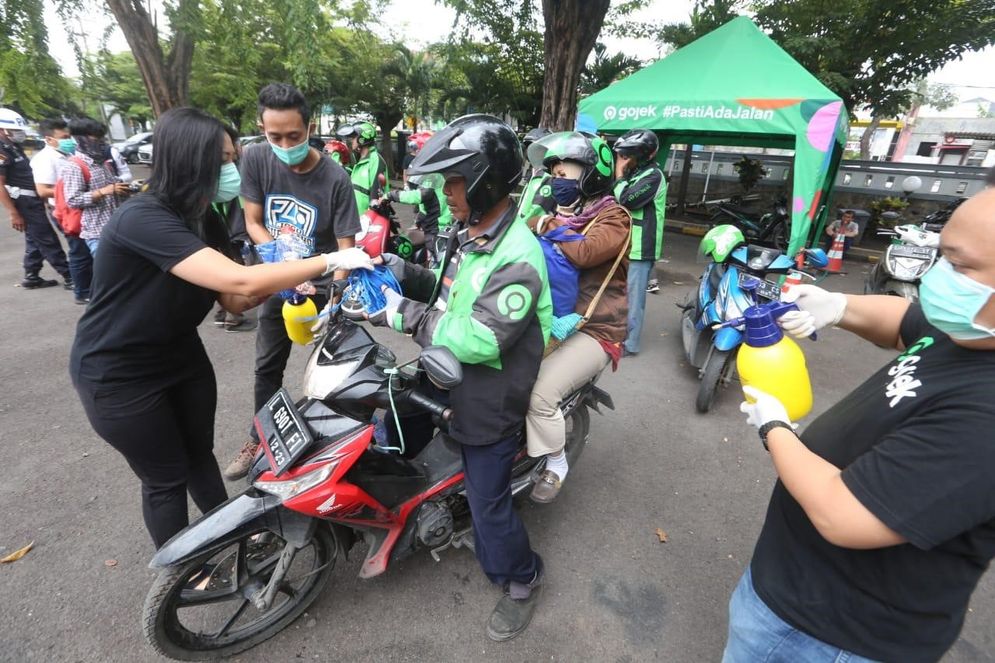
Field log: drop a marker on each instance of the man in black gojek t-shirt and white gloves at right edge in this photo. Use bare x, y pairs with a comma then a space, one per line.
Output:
883, 518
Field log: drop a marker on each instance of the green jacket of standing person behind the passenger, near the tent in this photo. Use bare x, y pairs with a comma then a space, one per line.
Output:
644, 194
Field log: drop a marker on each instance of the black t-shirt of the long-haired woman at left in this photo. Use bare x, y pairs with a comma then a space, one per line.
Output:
141, 323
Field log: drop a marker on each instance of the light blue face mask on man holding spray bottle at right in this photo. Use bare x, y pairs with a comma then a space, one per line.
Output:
951, 301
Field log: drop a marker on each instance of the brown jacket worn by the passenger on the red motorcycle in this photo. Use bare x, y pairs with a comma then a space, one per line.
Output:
595, 256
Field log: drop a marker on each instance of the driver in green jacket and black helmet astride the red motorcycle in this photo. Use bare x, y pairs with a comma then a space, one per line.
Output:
490, 304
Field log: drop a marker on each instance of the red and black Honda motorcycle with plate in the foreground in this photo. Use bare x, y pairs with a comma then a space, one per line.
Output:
325, 478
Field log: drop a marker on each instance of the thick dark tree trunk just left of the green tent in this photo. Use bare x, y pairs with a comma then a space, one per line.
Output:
572, 27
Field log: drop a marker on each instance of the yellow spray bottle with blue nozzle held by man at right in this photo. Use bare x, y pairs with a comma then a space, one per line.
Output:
772, 362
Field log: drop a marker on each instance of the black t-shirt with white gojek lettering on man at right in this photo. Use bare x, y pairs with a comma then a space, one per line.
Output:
916, 445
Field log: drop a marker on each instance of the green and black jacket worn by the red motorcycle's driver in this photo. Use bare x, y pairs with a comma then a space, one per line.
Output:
492, 308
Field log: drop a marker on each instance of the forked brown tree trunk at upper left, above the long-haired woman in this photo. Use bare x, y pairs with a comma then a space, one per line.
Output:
166, 77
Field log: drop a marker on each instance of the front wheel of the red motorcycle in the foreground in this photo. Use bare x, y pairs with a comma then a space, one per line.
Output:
201, 609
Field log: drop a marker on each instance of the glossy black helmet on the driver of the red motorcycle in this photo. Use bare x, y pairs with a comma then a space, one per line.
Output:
480, 148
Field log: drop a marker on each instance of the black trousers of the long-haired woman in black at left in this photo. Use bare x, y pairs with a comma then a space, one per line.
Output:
166, 433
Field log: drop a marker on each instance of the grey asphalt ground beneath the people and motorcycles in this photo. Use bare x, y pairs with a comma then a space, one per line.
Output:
614, 592
